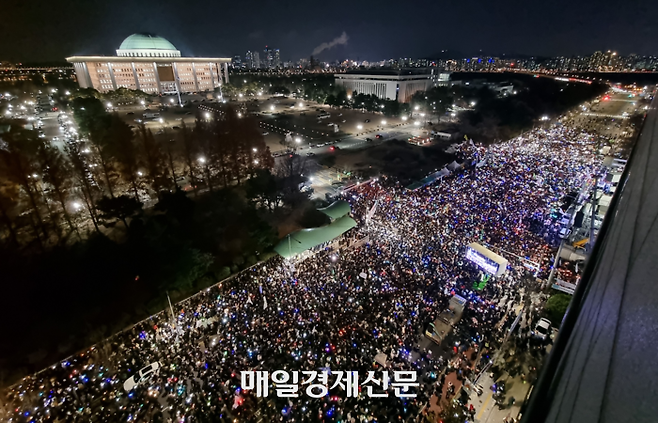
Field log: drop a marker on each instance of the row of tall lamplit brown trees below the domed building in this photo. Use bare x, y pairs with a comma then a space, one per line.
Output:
109, 169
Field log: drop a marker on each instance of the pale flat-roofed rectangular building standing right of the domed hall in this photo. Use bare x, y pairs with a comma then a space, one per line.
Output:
397, 85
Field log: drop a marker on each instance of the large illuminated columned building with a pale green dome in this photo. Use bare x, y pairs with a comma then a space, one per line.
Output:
151, 64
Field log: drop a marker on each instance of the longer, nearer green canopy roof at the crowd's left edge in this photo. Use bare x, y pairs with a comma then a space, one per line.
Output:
300, 241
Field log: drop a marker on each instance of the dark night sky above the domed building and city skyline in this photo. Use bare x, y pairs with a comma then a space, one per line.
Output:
32, 31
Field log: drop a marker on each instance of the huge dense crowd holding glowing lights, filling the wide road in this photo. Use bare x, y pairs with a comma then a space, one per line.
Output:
338, 308
